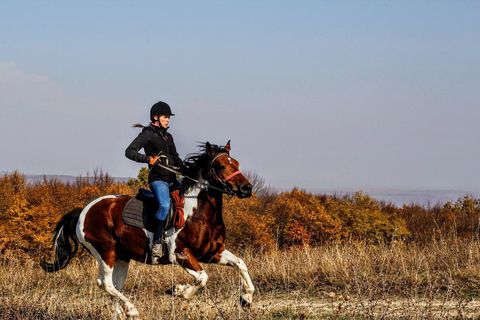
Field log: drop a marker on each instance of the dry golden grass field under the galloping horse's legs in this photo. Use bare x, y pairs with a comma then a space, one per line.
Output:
440, 280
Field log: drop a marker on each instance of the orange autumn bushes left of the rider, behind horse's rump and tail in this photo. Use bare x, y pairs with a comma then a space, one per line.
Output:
29, 211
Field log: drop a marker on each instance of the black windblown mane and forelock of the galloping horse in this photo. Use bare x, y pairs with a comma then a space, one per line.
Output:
196, 162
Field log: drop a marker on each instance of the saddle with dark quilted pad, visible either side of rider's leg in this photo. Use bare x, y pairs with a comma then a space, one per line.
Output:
140, 211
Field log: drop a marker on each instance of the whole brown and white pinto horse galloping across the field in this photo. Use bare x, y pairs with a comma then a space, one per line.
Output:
100, 230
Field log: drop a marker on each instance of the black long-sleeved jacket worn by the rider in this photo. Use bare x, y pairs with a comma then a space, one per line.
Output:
154, 140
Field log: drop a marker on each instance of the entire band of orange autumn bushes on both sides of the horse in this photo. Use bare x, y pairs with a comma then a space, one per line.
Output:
267, 220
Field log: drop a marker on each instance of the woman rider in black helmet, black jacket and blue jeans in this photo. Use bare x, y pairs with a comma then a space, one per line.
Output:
159, 147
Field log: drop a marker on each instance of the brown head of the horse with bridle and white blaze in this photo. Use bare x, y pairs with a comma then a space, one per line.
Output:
224, 171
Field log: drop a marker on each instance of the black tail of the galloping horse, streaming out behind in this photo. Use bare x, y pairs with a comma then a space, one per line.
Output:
65, 231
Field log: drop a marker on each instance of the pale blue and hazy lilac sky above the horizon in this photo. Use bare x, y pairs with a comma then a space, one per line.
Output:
312, 94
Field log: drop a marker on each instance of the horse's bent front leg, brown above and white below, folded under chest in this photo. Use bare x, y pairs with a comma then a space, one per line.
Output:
186, 259
